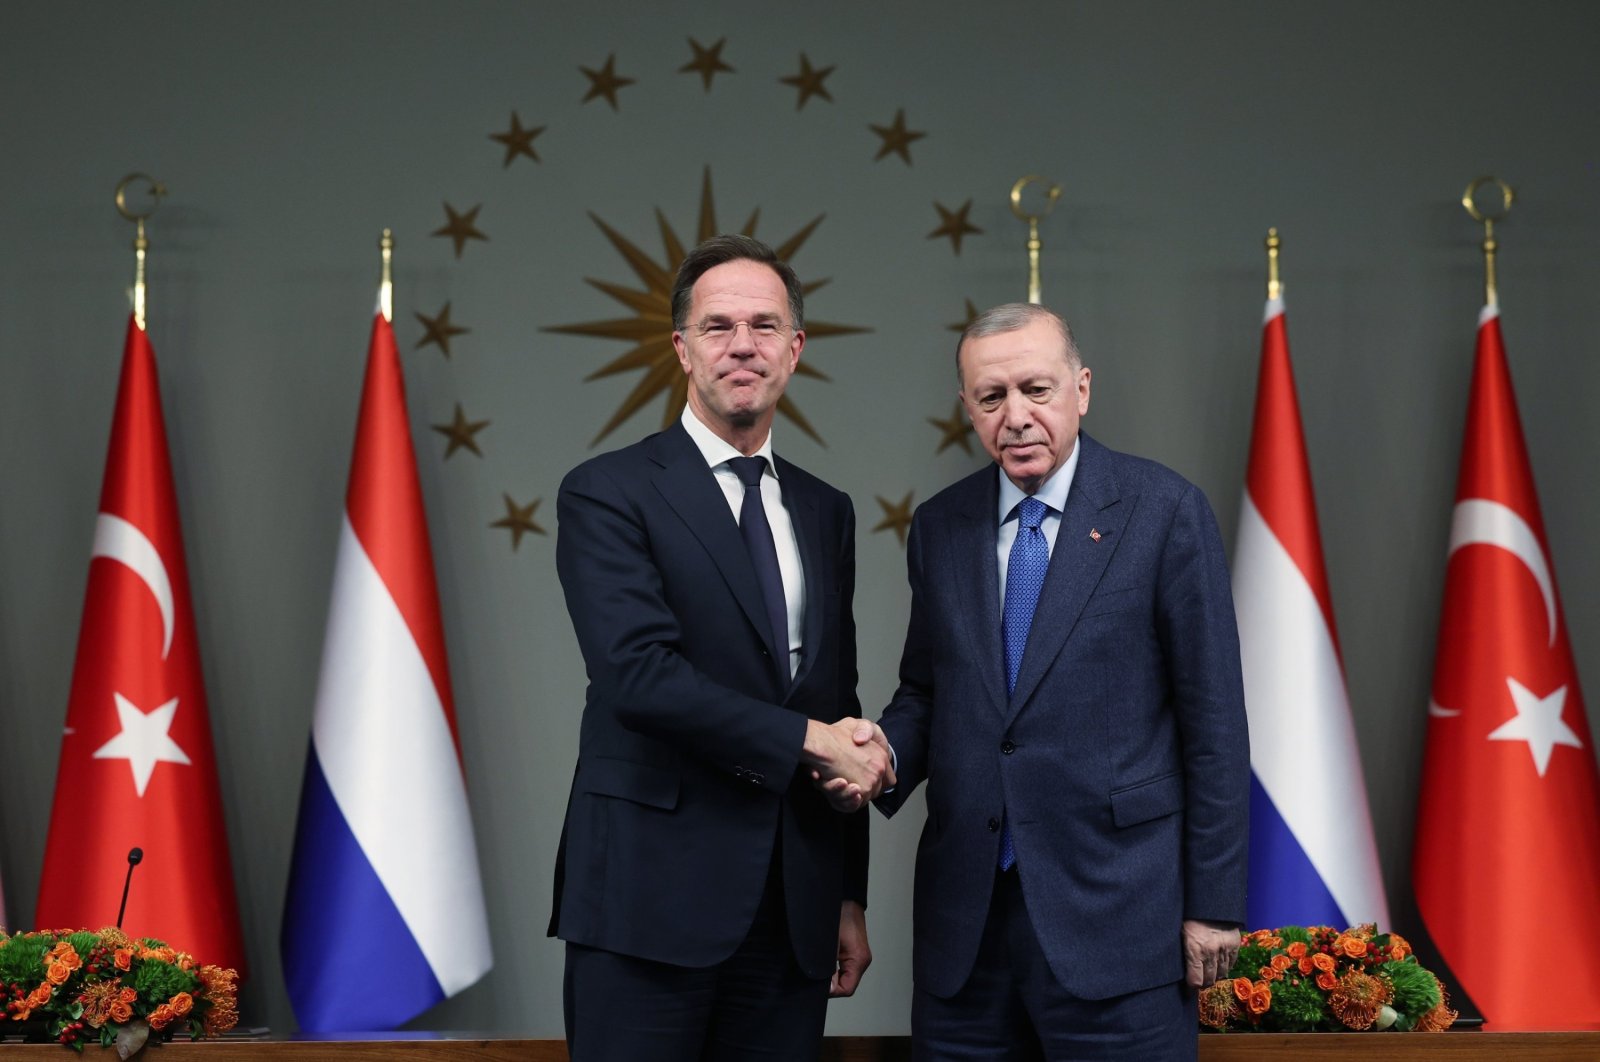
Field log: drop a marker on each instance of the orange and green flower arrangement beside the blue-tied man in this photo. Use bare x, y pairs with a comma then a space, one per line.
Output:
1324, 980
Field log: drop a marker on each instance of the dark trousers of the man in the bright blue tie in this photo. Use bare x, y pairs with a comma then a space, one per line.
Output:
1014, 1008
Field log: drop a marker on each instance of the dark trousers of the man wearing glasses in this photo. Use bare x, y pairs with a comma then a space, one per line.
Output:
754, 1005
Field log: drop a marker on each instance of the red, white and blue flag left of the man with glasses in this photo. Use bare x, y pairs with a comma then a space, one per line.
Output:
385, 912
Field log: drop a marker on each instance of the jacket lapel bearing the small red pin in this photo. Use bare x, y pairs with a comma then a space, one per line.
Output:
1076, 565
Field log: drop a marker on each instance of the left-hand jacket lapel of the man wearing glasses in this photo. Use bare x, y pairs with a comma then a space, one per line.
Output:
690, 489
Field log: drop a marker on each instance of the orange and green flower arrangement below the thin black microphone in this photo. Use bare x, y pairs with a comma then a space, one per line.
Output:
111, 989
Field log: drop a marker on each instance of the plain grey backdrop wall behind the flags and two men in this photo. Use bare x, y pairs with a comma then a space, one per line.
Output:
292, 135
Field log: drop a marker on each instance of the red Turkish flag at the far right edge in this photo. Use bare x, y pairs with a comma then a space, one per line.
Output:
1508, 834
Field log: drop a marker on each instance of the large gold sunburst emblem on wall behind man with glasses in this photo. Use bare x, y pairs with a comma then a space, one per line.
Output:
650, 329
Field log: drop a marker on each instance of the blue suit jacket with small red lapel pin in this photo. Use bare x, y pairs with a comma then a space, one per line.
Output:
1122, 759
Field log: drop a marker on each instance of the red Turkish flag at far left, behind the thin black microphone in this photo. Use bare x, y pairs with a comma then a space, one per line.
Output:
137, 764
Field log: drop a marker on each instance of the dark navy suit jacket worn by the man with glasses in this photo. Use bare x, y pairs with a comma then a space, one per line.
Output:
689, 754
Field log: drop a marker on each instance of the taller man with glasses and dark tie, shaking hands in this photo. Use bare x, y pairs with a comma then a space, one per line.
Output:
710, 896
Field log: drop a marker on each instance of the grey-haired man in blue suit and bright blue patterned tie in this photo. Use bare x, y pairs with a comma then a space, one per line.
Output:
1071, 693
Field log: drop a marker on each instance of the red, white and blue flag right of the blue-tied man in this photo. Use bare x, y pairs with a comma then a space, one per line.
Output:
1313, 858
